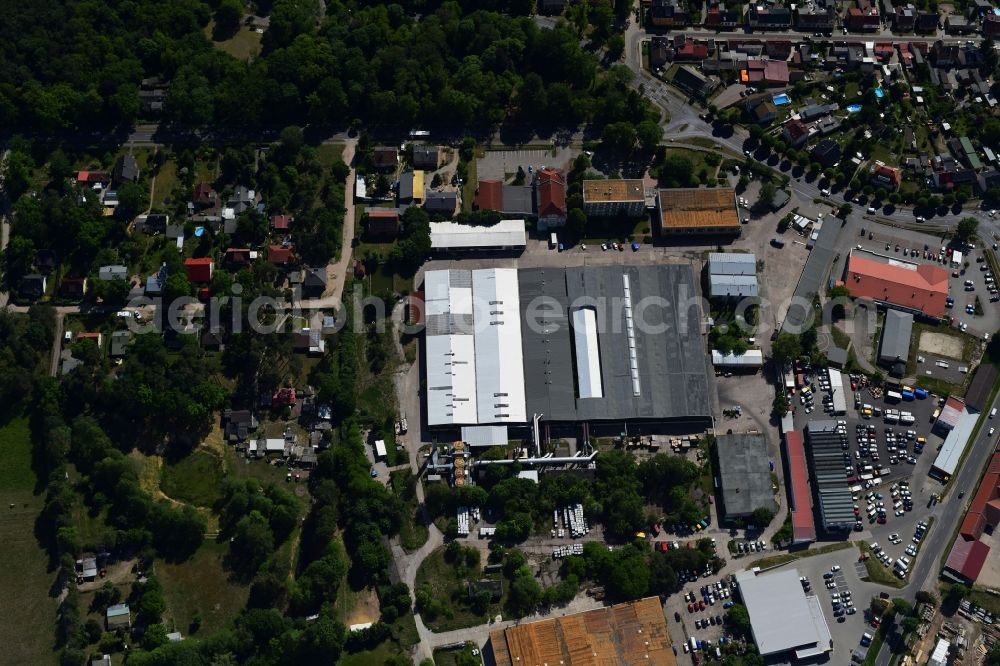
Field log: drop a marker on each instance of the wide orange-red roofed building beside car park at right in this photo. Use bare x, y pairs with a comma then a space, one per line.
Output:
919, 289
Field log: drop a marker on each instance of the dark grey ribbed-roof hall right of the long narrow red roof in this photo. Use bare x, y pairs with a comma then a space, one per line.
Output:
826, 450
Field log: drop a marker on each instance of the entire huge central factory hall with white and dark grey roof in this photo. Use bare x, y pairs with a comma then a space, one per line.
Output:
596, 344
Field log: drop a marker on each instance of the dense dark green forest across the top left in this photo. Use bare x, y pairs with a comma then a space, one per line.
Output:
72, 67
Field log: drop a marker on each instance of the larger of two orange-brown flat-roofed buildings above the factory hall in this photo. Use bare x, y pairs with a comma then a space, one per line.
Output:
697, 212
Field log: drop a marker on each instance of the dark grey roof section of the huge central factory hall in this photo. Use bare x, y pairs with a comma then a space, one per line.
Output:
670, 358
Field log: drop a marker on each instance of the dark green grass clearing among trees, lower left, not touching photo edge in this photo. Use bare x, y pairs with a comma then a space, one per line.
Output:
200, 585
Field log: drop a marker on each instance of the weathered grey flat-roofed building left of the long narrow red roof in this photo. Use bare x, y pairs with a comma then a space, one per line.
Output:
744, 473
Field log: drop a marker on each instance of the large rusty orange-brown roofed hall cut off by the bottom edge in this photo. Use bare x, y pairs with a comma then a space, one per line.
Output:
630, 633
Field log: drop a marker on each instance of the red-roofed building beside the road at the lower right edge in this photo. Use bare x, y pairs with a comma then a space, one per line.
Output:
968, 555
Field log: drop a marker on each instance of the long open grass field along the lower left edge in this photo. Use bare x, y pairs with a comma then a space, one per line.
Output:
29, 620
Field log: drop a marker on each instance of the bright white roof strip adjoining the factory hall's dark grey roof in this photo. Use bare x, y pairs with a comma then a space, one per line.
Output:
499, 363
